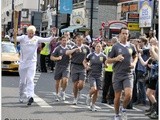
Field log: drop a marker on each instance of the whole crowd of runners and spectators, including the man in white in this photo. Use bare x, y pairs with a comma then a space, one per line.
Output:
129, 65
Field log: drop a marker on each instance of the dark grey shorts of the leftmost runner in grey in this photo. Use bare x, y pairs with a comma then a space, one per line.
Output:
61, 72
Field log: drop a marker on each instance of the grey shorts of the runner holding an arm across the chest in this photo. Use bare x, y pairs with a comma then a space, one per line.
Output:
78, 76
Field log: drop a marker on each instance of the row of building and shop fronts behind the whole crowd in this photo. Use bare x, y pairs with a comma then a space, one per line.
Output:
35, 12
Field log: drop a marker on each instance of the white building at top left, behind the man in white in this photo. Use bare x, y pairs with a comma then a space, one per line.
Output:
25, 6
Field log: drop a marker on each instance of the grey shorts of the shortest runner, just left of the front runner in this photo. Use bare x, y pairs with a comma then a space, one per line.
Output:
96, 81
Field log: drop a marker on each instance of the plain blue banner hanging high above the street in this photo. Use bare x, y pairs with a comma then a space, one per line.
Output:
66, 6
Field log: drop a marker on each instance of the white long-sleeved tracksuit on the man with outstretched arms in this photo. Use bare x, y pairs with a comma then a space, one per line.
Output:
28, 59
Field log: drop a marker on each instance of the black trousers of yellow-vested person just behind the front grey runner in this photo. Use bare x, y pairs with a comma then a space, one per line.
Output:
108, 92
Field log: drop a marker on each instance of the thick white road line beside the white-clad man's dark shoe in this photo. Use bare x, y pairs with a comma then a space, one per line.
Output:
41, 102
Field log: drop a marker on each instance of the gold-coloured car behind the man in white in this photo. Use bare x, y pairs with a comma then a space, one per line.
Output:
9, 57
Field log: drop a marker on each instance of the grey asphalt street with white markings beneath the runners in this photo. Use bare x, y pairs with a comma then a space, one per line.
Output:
46, 108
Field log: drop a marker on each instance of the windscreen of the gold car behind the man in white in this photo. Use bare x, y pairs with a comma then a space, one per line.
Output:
8, 48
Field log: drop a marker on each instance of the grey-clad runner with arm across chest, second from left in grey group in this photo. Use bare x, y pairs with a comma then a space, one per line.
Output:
78, 54
